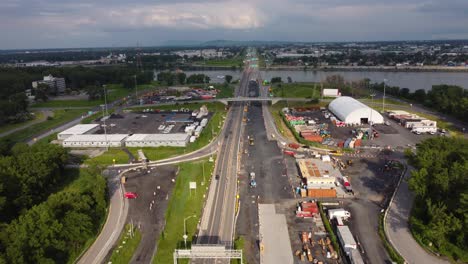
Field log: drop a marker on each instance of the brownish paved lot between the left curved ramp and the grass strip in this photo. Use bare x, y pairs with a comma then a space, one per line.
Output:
150, 221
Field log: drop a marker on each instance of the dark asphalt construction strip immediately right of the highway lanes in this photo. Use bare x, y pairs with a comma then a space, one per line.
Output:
266, 160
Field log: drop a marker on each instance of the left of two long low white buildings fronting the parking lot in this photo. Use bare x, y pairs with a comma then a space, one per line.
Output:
94, 141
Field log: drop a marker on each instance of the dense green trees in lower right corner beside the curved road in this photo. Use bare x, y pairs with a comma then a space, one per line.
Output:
440, 213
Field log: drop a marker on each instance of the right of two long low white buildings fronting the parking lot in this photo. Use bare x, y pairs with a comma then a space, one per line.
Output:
157, 140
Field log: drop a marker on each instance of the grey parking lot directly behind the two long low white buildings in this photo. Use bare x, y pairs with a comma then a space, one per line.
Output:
149, 122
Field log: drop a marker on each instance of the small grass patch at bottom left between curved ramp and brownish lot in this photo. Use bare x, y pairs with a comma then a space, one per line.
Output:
126, 246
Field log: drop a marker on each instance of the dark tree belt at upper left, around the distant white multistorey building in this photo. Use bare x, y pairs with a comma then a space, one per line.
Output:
15, 81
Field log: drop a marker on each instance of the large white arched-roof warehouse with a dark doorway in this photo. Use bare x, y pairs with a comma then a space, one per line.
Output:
351, 111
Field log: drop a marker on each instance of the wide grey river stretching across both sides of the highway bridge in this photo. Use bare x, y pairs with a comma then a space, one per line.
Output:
410, 80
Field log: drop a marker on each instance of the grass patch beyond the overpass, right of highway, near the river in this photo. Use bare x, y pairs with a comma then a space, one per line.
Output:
297, 90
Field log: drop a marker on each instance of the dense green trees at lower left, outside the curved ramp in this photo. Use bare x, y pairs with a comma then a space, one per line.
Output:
47, 213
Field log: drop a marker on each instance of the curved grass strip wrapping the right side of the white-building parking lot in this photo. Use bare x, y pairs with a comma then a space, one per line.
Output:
211, 130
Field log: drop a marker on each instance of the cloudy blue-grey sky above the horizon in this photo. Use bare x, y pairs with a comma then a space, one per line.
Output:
98, 23
